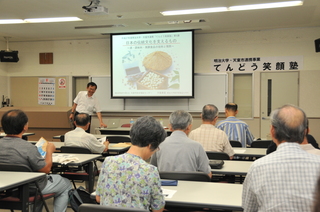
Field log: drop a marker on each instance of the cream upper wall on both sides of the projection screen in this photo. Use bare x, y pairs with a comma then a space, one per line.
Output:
91, 57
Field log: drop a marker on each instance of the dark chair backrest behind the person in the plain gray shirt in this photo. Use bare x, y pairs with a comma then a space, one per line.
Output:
190, 176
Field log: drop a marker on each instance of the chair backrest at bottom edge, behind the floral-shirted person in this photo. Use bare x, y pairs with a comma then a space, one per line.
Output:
103, 208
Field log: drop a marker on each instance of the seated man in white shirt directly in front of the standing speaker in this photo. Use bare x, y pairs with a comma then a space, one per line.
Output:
79, 136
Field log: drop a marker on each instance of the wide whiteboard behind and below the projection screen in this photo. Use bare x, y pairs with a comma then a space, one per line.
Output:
208, 89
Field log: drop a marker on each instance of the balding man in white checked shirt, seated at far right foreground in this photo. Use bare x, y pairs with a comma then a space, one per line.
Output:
284, 180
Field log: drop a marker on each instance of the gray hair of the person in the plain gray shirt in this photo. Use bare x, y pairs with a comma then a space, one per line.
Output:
180, 120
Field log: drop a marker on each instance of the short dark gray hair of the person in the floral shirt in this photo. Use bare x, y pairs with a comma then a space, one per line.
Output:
147, 130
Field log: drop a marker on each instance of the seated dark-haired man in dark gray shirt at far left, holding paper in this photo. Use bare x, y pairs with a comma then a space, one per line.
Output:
15, 150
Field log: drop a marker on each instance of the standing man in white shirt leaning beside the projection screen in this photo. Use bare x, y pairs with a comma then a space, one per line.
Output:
86, 102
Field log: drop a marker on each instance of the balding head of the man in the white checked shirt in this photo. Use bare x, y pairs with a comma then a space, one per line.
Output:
290, 123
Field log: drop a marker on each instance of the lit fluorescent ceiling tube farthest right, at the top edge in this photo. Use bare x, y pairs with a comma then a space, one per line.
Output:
266, 5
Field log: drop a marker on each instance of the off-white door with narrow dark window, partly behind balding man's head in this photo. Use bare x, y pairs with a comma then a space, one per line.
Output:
277, 89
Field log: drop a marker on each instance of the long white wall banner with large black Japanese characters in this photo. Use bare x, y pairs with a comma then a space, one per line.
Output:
252, 64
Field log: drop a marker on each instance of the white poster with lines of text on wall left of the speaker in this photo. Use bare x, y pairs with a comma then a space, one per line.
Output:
46, 91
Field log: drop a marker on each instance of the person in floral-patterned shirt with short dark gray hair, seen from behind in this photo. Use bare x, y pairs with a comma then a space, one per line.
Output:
127, 180
